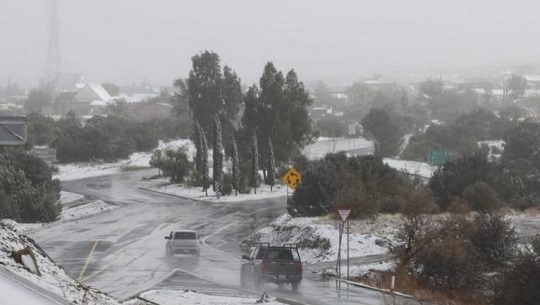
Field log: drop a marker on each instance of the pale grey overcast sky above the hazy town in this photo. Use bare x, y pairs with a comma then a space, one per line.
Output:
126, 41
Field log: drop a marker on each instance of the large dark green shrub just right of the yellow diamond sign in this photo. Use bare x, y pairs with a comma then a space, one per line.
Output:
365, 184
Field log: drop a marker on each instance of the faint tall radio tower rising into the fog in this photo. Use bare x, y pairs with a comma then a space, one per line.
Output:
53, 64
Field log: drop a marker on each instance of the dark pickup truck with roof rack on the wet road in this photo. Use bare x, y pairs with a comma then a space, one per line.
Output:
272, 264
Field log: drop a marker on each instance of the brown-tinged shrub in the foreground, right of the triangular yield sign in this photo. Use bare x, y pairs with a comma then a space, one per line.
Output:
455, 254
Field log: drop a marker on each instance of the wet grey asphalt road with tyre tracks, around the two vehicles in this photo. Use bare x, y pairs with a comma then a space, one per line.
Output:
122, 252
